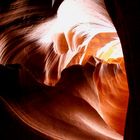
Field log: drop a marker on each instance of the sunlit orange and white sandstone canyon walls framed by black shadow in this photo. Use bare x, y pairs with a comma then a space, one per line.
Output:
72, 79
